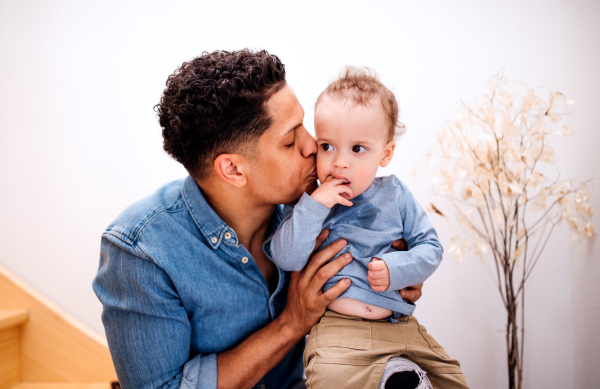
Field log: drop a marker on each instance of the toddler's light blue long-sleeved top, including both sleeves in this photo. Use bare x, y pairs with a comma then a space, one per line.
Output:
385, 212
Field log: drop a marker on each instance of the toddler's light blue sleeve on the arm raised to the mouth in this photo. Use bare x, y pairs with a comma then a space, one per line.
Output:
295, 237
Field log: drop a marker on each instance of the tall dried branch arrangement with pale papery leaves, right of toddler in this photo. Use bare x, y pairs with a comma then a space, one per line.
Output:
489, 173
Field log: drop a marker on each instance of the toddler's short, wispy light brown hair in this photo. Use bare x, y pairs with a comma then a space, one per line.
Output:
361, 85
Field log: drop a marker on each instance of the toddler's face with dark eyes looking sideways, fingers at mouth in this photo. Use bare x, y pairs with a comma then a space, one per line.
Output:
352, 143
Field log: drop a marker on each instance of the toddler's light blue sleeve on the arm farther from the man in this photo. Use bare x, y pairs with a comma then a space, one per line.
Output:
412, 267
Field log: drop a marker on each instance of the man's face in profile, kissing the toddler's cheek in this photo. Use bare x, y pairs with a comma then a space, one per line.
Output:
283, 166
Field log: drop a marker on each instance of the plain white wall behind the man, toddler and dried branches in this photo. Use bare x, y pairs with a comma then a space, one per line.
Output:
79, 140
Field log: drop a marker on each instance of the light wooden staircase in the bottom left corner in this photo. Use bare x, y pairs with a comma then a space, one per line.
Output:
43, 347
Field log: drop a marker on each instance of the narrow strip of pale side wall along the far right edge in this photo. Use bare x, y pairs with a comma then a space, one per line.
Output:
581, 78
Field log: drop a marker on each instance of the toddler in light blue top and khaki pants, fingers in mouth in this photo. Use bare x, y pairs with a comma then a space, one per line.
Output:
356, 122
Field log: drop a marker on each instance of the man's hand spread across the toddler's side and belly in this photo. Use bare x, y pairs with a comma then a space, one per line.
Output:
306, 301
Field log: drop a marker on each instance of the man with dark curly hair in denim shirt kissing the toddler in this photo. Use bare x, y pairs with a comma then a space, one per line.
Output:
191, 297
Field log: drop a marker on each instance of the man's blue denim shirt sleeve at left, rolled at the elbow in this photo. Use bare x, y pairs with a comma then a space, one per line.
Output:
147, 328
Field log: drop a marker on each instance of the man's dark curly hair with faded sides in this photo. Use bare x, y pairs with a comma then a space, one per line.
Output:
216, 104
